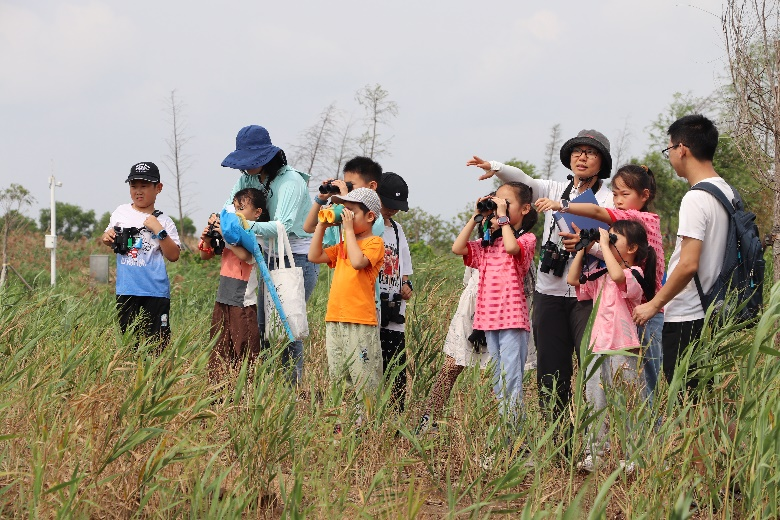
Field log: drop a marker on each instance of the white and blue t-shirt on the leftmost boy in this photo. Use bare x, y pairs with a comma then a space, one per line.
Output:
142, 271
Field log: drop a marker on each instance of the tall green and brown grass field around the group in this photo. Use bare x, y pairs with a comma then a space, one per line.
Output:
91, 427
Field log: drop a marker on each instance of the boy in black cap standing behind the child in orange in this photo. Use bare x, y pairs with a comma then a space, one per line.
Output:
394, 284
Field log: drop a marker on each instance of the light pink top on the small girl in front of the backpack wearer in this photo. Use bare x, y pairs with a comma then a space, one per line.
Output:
613, 328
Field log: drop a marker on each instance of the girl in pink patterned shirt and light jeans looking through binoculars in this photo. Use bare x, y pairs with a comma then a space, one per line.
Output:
503, 258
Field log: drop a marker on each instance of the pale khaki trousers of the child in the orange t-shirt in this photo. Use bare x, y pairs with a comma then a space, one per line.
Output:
354, 353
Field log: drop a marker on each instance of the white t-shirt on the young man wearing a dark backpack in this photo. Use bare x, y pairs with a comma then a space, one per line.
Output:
704, 218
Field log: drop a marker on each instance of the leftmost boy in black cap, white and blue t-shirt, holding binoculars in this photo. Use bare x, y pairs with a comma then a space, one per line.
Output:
142, 236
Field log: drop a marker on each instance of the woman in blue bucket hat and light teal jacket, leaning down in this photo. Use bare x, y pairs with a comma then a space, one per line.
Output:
264, 166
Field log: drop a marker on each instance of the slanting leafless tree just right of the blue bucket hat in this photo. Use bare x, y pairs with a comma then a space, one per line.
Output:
316, 143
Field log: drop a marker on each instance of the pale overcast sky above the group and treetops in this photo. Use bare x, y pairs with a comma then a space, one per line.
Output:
83, 84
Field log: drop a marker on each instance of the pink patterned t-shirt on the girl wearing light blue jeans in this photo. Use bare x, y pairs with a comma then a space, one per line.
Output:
501, 301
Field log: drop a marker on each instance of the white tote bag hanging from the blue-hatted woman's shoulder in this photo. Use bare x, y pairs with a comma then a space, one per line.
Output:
289, 286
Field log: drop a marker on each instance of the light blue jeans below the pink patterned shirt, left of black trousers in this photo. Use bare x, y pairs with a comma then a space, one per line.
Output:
508, 350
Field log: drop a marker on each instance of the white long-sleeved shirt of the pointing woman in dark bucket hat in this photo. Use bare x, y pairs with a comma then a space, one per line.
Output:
548, 283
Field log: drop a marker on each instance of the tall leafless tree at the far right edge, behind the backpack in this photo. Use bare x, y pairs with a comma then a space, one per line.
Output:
752, 37
